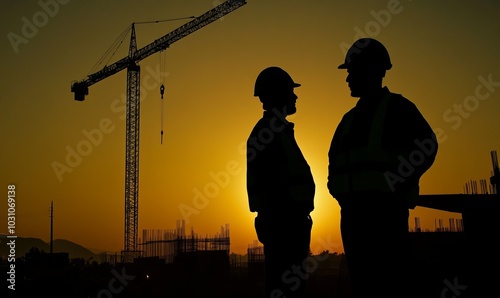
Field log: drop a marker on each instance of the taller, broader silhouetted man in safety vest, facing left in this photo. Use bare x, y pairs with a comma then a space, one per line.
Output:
379, 151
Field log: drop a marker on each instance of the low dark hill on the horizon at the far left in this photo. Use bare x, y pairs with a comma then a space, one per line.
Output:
23, 245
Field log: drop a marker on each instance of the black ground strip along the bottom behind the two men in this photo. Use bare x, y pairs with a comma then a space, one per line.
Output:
444, 268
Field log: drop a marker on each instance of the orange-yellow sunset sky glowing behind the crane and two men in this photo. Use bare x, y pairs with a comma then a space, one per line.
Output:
445, 60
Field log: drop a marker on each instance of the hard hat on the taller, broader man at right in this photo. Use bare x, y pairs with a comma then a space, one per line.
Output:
367, 52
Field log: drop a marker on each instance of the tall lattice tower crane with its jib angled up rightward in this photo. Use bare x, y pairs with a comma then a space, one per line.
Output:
131, 63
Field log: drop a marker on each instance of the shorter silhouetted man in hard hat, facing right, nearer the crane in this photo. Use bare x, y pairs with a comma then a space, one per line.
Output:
280, 187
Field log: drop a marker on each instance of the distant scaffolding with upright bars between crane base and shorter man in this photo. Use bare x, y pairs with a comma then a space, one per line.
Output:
167, 244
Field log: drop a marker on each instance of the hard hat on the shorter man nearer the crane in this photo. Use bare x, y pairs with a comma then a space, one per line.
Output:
273, 79
